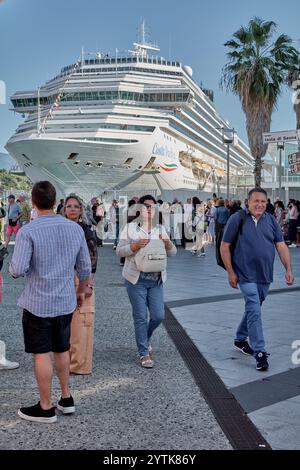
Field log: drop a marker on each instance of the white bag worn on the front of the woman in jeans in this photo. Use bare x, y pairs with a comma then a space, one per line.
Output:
152, 258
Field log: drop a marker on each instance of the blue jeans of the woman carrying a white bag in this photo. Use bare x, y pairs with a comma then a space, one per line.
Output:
146, 294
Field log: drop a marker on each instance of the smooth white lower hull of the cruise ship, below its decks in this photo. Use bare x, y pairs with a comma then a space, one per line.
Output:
44, 158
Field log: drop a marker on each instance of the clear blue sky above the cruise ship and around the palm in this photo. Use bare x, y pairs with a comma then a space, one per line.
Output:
38, 37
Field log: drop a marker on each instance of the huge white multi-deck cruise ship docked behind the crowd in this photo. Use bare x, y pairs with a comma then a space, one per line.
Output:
127, 120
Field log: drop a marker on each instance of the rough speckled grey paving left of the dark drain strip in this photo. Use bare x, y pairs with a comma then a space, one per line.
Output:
121, 405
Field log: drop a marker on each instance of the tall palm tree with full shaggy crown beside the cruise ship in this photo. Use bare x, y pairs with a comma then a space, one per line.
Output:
257, 68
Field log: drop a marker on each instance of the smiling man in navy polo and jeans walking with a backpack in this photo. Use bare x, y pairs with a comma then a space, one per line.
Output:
250, 267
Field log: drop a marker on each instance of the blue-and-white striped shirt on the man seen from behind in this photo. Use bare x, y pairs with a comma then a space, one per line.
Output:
46, 252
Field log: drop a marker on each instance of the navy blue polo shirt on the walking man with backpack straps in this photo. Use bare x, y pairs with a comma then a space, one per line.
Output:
254, 254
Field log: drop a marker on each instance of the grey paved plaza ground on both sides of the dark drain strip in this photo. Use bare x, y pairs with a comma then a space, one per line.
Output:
122, 406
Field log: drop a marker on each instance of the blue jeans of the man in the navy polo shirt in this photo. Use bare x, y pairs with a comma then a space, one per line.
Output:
251, 324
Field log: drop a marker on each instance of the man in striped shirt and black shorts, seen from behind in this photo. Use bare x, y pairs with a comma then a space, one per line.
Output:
46, 252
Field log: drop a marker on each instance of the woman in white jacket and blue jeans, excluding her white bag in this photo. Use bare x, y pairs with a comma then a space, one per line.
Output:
145, 289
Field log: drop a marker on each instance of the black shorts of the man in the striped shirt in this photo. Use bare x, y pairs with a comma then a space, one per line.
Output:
45, 334
